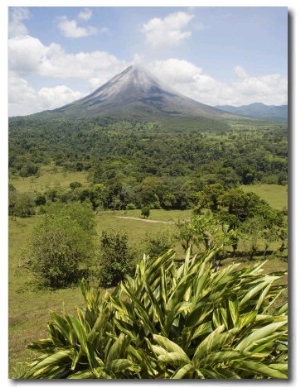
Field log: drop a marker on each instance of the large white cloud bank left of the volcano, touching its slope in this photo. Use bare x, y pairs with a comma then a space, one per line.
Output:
29, 57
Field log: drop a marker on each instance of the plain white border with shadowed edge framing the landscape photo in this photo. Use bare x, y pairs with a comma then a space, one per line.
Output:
293, 6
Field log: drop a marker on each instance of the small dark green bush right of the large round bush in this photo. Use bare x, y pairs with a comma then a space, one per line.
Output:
117, 259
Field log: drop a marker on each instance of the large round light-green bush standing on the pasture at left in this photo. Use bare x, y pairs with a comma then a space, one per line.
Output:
62, 247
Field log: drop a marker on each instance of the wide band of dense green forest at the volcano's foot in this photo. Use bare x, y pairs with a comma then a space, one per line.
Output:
126, 153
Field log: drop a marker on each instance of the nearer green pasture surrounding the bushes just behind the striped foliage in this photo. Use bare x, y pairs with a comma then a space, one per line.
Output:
29, 307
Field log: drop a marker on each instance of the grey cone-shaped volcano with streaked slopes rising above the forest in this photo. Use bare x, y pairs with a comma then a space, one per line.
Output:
135, 93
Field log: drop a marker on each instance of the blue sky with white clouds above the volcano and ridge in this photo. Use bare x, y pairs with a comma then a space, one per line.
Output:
215, 55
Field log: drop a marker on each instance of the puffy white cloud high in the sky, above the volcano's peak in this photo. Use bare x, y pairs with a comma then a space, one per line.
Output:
168, 31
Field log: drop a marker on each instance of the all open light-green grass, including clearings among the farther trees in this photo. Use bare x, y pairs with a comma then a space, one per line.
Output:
29, 306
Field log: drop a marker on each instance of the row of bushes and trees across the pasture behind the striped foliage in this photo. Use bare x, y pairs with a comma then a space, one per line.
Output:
65, 246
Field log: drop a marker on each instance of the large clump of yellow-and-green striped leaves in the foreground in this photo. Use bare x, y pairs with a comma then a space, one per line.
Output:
171, 321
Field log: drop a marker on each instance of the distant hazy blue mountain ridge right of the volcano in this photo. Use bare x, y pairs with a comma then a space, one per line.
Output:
259, 110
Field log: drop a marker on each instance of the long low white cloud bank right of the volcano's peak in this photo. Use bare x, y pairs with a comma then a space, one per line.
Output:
190, 80
